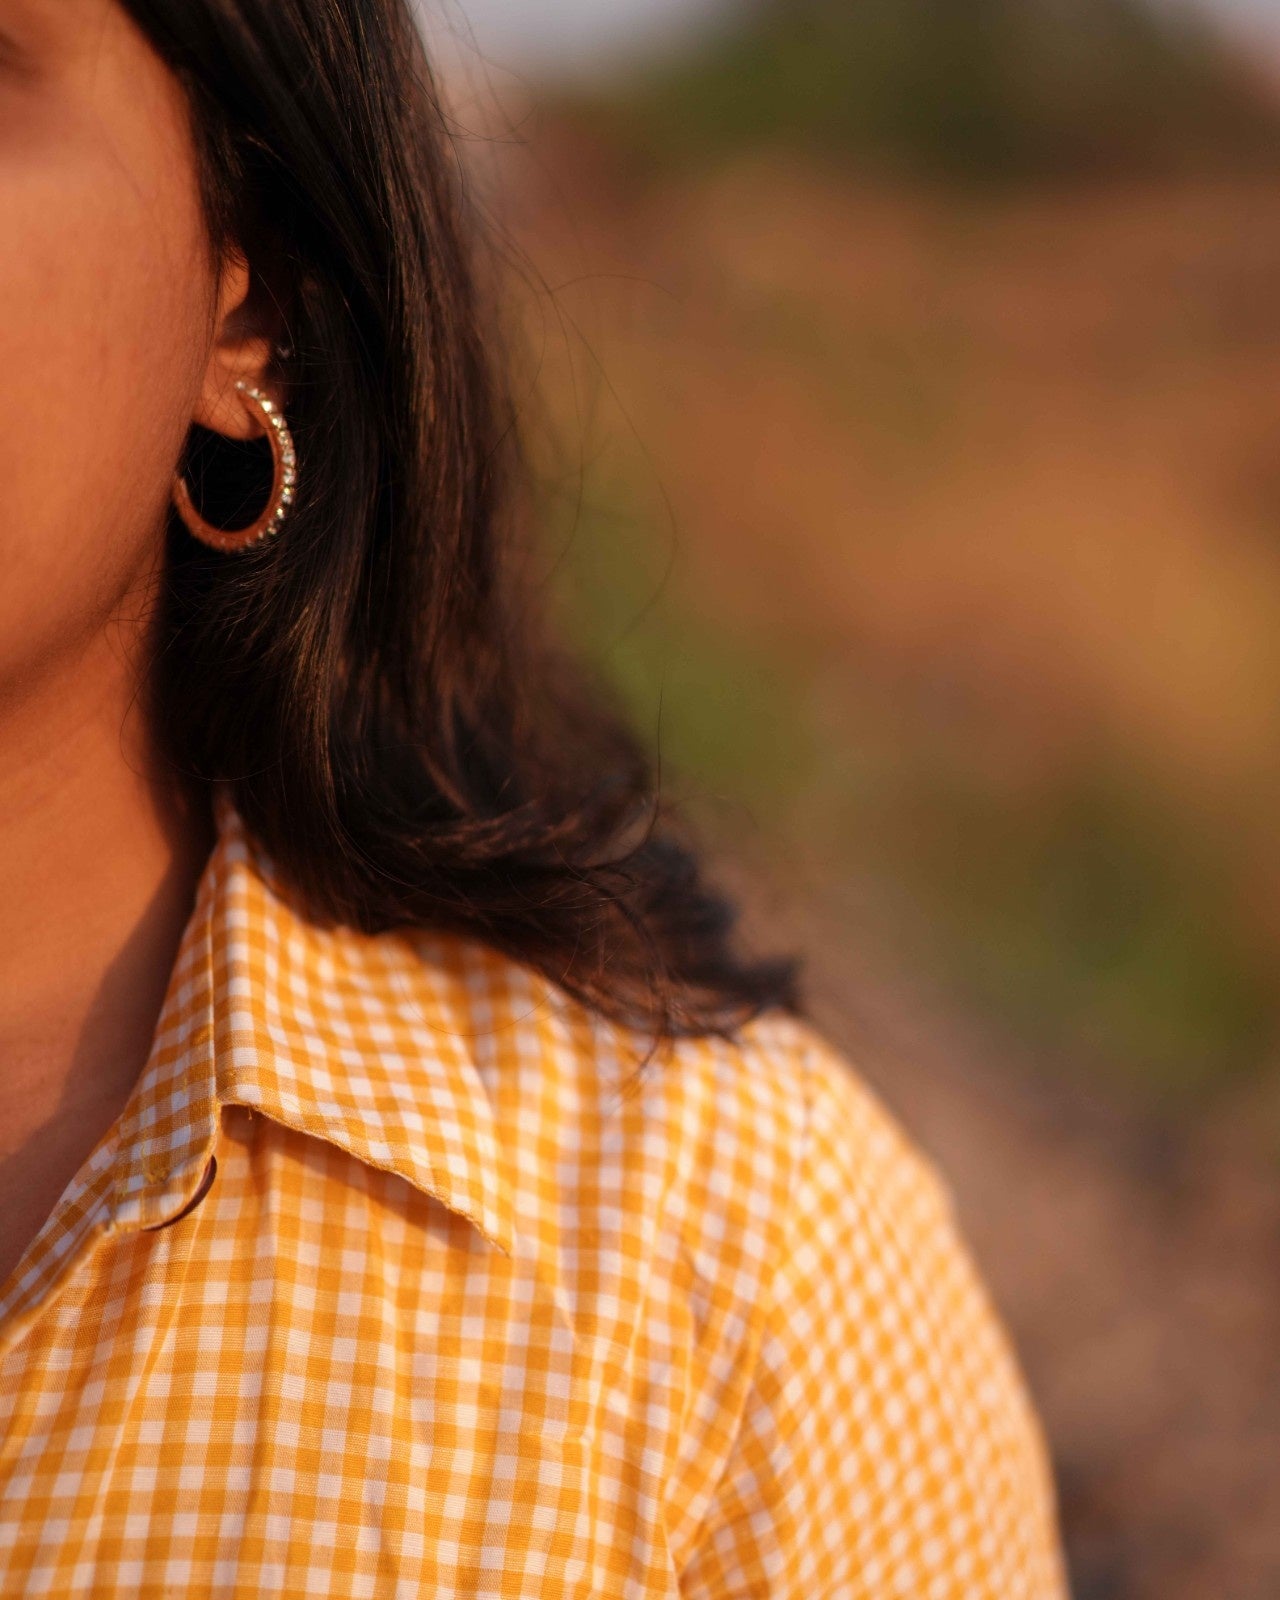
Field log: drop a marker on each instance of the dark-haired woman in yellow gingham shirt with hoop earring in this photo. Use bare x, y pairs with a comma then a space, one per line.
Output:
406, 1186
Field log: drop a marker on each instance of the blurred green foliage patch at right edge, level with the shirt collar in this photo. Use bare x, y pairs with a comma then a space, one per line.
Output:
1094, 924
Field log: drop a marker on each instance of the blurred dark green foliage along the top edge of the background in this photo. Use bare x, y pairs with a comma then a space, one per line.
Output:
954, 89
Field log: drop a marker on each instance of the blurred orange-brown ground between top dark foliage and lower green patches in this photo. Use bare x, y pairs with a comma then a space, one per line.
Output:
1025, 449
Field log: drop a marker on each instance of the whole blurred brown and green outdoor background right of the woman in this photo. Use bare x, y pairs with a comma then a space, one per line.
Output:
903, 383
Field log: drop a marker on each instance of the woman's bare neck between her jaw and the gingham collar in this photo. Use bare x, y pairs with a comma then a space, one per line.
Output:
100, 855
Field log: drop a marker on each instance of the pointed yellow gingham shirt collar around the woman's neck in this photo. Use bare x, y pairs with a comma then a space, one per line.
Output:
358, 1039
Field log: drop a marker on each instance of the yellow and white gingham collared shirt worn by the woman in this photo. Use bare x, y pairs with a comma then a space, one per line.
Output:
386, 1284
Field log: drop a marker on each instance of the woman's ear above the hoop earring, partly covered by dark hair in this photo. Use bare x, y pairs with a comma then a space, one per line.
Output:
247, 329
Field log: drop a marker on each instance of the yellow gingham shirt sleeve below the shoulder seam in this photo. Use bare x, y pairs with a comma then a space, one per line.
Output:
889, 1447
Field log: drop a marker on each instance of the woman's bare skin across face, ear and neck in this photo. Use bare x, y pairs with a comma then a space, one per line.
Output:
116, 335
